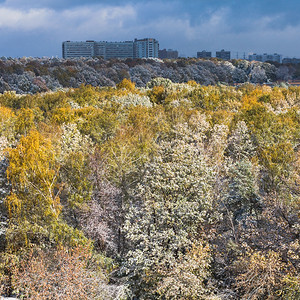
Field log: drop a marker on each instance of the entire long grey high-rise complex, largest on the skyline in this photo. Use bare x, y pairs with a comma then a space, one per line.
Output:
145, 48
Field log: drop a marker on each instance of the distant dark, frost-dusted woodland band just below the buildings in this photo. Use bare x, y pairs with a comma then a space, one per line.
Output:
32, 75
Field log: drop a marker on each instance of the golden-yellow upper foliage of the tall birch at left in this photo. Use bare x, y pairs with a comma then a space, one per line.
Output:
32, 172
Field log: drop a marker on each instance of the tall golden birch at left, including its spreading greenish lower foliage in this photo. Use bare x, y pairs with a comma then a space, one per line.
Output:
34, 205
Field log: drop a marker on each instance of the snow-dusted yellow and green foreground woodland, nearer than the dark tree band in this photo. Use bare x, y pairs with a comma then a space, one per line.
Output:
165, 191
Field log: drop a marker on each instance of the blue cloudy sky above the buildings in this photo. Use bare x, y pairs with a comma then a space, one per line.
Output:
38, 27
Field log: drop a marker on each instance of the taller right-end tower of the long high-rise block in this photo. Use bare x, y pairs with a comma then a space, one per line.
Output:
146, 48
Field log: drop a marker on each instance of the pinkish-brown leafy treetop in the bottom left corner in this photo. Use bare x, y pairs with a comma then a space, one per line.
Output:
58, 274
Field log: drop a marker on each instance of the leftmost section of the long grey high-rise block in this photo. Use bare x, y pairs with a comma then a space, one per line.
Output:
78, 49
